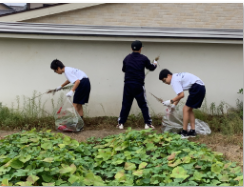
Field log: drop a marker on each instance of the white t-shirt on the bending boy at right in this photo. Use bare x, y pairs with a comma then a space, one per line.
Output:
183, 81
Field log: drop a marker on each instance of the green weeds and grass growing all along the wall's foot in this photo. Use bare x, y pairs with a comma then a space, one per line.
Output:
33, 115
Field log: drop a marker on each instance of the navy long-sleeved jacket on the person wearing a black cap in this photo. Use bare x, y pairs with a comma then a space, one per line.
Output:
134, 66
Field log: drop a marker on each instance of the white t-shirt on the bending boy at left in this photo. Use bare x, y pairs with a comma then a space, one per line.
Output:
73, 74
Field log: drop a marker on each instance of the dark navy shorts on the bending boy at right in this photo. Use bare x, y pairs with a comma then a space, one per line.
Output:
196, 95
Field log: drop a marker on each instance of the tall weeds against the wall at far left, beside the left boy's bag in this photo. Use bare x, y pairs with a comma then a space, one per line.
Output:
32, 114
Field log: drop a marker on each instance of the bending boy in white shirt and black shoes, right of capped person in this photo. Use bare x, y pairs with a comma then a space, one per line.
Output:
181, 82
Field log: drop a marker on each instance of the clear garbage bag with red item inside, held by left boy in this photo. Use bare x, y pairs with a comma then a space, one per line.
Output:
67, 118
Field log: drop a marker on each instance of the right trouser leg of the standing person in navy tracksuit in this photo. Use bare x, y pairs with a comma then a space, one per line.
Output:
142, 103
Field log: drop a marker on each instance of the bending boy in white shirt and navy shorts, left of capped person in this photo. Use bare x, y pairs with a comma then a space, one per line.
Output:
81, 83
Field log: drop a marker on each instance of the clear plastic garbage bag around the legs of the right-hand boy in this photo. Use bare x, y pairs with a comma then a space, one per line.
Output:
173, 122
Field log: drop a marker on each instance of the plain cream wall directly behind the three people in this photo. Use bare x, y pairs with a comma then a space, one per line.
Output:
25, 67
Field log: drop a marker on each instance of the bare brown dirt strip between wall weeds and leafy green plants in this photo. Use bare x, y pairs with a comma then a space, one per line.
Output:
217, 142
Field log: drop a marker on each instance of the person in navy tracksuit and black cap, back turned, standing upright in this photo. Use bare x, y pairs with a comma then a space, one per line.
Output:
134, 66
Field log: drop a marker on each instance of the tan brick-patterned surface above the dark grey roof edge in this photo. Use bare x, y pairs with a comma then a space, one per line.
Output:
183, 15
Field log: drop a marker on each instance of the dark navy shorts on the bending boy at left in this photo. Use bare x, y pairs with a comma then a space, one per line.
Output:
82, 92
